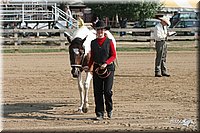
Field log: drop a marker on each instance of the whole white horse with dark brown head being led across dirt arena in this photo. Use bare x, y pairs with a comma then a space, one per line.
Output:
79, 50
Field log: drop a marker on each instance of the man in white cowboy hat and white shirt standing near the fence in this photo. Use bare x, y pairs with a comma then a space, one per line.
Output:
161, 47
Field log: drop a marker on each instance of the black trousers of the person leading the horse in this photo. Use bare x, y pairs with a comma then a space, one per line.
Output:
103, 91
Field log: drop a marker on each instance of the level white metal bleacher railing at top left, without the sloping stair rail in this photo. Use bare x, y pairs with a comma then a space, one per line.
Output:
25, 13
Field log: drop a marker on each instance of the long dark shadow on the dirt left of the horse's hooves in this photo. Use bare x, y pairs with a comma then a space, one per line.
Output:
40, 111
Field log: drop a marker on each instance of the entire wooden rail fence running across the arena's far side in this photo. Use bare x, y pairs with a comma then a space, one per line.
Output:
14, 36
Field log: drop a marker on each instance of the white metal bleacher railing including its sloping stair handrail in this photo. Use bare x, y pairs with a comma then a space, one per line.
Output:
34, 12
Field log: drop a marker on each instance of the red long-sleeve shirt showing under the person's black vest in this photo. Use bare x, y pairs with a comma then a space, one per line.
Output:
112, 52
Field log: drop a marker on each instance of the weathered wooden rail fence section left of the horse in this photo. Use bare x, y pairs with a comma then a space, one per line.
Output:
13, 36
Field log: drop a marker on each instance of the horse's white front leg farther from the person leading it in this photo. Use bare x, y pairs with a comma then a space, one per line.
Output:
80, 87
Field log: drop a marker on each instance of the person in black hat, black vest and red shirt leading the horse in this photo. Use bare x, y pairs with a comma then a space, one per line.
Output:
103, 54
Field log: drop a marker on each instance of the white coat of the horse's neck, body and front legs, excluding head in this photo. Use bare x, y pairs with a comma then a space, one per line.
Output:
84, 88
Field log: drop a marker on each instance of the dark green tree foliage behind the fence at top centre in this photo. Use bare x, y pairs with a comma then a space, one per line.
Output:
132, 11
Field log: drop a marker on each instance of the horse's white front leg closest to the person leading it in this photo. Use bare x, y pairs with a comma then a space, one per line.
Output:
86, 87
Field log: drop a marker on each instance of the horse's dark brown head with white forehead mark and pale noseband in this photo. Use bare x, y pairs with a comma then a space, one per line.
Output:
76, 53
